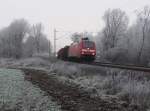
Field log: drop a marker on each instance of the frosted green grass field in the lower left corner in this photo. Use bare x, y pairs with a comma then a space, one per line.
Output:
17, 94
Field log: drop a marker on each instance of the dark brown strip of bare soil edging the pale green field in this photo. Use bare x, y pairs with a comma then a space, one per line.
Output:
70, 97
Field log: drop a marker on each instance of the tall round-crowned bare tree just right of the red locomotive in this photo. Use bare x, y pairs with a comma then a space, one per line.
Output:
116, 23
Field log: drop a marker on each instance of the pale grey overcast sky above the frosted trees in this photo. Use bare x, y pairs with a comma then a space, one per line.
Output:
65, 15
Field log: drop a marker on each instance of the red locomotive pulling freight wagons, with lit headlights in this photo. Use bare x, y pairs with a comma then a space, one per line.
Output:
85, 49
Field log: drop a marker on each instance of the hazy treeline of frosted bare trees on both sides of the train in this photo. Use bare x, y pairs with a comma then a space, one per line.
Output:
117, 42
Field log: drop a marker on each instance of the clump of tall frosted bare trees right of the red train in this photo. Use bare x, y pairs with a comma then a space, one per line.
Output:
122, 43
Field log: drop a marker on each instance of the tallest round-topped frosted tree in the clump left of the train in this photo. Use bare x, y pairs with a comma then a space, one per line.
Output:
17, 32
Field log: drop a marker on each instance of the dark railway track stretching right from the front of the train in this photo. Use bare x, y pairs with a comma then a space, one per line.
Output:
128, 67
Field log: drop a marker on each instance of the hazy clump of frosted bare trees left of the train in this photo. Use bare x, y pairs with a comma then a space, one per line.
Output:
20, 39
